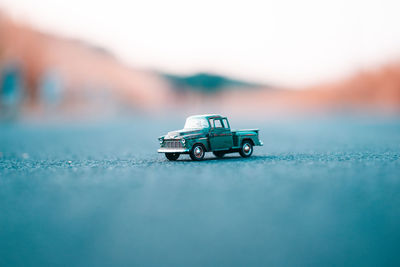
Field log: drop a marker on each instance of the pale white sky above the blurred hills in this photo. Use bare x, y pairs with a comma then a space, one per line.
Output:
289, 43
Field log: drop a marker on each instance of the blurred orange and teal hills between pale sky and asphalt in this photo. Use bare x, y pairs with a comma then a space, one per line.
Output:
44, 74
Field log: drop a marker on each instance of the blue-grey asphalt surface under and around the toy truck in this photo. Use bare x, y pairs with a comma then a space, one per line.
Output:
320, 192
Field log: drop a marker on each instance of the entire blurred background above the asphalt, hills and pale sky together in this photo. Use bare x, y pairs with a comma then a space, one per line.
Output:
109, 58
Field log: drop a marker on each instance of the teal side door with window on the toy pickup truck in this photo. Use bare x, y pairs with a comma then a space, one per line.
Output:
220, 135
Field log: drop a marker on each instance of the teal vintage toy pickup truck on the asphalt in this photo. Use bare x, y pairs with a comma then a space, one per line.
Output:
208, 133
